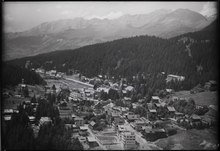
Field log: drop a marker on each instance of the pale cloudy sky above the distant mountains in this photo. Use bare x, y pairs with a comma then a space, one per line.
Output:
20, 16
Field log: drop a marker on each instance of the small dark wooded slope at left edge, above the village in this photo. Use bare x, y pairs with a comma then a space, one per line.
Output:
13, 75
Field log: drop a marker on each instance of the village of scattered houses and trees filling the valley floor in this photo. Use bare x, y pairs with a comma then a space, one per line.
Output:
100, 112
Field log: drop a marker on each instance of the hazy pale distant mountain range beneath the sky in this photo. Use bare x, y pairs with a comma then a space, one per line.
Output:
78, 32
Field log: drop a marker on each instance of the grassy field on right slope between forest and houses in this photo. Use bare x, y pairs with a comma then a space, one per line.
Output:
202, 98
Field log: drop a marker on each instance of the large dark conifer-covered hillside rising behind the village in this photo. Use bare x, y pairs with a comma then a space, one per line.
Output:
193, 55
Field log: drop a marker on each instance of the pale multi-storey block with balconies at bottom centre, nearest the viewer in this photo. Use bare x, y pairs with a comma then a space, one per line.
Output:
128, 140
